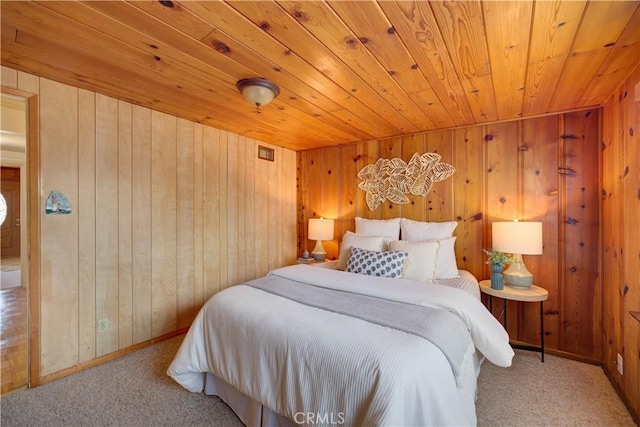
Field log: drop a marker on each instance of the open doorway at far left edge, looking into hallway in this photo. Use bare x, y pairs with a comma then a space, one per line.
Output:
14, 289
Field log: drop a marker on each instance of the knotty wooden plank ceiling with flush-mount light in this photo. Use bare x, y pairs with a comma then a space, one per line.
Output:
348, 70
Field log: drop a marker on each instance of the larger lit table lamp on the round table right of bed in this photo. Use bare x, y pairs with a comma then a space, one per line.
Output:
517, 238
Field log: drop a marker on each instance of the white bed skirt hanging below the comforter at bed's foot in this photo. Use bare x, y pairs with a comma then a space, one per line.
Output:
250, 412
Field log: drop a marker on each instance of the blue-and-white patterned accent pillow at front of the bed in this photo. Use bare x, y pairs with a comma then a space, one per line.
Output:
372, 263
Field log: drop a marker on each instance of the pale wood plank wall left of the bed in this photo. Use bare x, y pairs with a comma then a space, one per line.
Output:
166, 212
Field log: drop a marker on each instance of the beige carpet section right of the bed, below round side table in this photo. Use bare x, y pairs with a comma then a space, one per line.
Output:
558, 392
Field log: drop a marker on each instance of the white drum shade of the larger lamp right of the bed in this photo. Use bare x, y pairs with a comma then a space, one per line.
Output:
516, 237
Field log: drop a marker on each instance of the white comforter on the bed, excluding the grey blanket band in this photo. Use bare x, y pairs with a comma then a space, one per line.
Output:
294, 358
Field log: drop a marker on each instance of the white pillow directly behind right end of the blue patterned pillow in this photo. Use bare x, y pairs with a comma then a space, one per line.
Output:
422, 258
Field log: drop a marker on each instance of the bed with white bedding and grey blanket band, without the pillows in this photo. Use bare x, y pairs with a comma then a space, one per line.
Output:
307, 345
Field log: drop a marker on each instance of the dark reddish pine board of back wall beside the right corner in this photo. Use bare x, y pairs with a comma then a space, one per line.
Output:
581, 300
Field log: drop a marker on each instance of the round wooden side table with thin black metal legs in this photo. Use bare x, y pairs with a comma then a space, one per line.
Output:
532, 294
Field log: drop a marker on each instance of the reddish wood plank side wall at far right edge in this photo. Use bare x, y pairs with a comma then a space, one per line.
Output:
621, 255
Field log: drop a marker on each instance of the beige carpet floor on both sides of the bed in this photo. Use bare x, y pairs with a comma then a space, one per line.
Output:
134, 390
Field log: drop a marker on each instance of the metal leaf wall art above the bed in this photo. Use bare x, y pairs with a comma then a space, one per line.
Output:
393, 179
